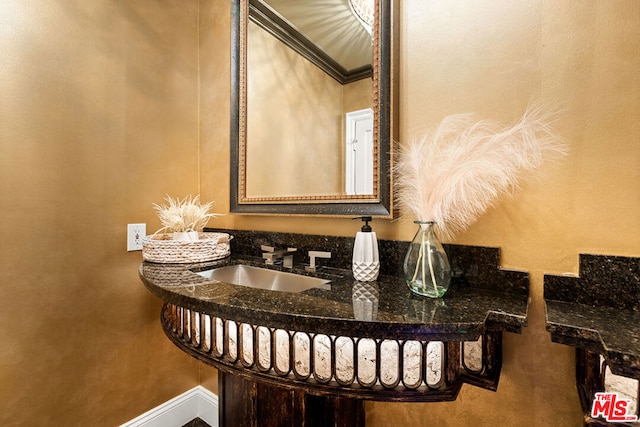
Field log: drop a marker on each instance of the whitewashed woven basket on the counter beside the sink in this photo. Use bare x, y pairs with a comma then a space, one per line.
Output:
162, 249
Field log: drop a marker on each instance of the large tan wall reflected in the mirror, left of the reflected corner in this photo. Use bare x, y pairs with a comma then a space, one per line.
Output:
294, 111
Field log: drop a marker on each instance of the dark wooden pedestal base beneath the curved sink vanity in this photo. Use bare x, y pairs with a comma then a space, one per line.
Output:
249, 403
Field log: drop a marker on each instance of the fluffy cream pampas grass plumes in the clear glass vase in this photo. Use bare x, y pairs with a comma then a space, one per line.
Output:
455, 172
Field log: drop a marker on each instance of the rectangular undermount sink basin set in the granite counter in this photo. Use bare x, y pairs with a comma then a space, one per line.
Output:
263, 278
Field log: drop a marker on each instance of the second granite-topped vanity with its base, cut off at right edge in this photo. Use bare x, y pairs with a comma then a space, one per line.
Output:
598, 313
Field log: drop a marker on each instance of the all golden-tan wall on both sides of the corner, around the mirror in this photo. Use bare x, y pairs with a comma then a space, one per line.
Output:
102, 114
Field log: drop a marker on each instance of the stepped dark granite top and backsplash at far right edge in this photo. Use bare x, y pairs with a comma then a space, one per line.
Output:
599, 311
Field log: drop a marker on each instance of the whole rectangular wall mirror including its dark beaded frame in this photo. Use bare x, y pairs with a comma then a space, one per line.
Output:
312, 108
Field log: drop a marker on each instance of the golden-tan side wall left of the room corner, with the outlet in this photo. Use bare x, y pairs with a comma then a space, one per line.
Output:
98, 120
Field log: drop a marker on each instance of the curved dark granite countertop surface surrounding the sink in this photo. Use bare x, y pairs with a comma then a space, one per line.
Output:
463, 314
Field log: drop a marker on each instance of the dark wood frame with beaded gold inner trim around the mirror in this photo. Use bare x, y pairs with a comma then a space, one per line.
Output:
385, 113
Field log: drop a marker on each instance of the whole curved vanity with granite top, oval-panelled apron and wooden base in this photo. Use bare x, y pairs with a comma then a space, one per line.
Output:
311, 357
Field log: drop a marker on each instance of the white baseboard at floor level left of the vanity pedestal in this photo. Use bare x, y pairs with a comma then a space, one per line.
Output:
197, 402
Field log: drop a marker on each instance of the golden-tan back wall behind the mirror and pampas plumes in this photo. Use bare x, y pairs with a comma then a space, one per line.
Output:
492, 58
